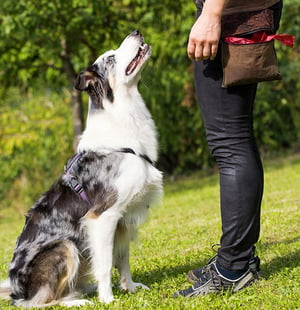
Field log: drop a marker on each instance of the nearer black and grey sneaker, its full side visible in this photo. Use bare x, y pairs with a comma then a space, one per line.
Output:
211, 281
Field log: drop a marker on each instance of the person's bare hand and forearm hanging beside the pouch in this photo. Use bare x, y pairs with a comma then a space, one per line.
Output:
205, 33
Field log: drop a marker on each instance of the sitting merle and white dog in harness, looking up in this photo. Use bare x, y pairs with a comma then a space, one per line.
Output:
89, 216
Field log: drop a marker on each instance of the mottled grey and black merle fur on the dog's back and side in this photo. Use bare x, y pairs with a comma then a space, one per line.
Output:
56, 215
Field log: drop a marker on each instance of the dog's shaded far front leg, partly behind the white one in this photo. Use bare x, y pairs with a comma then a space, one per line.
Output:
122, 242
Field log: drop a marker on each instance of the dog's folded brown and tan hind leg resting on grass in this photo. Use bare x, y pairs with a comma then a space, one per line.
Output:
51, 277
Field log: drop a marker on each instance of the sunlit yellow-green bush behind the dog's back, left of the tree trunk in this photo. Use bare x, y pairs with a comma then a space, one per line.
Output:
35, 141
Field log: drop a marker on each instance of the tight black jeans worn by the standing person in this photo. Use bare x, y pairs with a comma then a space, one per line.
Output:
228, 121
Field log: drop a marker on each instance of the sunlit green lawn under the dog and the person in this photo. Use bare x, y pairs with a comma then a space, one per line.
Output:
179, 234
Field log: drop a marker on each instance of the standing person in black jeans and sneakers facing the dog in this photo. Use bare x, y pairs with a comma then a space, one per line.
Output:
228, 121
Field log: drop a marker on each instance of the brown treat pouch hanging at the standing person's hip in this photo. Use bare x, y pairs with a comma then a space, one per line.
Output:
248, 63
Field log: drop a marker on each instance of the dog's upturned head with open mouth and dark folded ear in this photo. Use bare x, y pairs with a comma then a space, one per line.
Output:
114, 69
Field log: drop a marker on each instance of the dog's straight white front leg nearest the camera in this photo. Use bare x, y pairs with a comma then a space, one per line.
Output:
101, 232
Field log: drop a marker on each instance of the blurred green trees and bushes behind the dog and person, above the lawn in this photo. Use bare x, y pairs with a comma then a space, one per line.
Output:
45, 43
